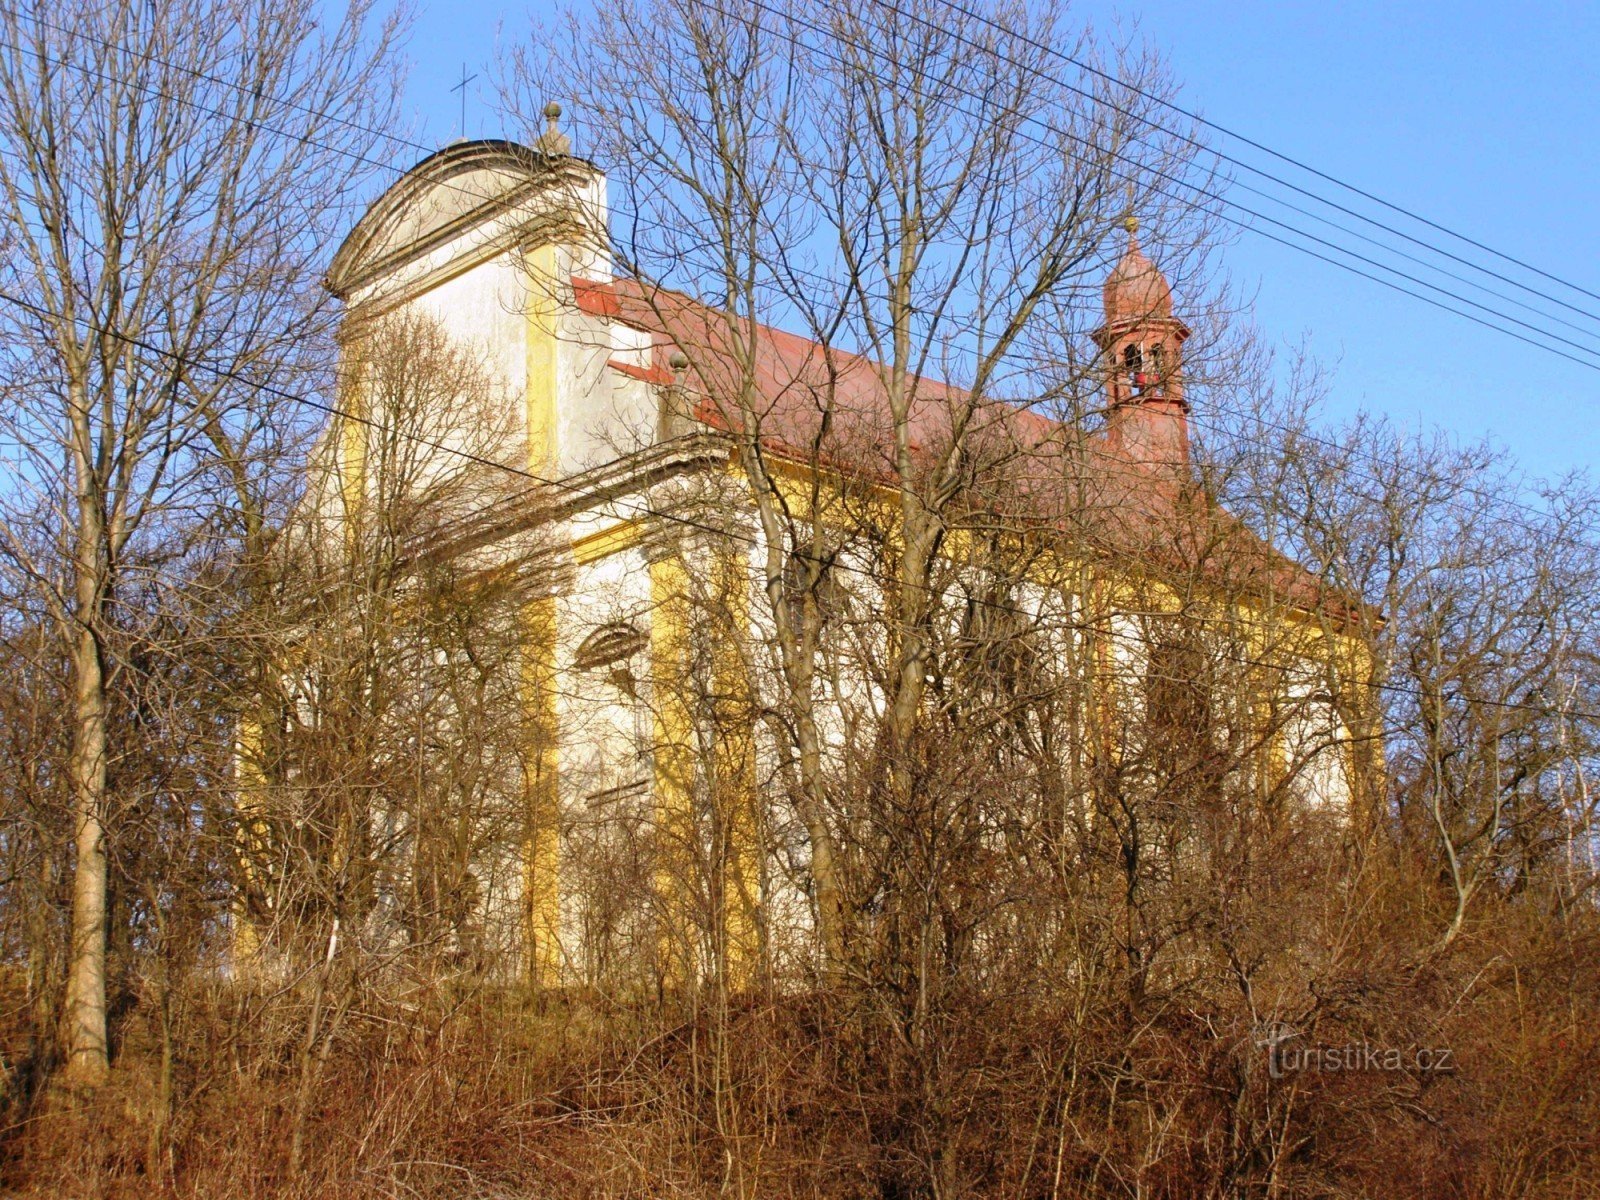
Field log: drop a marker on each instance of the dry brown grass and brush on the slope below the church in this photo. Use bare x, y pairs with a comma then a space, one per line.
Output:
817, 1097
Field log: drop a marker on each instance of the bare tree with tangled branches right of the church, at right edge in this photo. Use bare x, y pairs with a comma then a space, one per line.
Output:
1481, 631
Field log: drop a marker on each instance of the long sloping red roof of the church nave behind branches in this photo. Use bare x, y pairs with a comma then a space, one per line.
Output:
818, 404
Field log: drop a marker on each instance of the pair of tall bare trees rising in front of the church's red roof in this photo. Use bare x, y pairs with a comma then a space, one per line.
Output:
919, 193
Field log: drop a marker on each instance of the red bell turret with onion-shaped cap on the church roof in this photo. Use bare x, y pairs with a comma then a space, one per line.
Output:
1142, 346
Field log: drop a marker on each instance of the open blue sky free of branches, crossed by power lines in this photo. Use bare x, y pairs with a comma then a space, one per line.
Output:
1481, 118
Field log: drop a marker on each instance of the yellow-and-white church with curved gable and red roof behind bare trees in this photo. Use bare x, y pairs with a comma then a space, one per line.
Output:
647, 644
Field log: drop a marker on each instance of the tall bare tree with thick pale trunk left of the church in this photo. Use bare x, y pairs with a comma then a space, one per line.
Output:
162, 217
